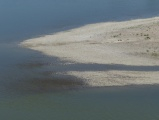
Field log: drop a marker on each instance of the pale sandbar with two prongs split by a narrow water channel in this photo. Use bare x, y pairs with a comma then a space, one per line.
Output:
134, 42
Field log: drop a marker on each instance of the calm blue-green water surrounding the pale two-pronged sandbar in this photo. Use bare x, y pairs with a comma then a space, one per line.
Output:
31, 84
